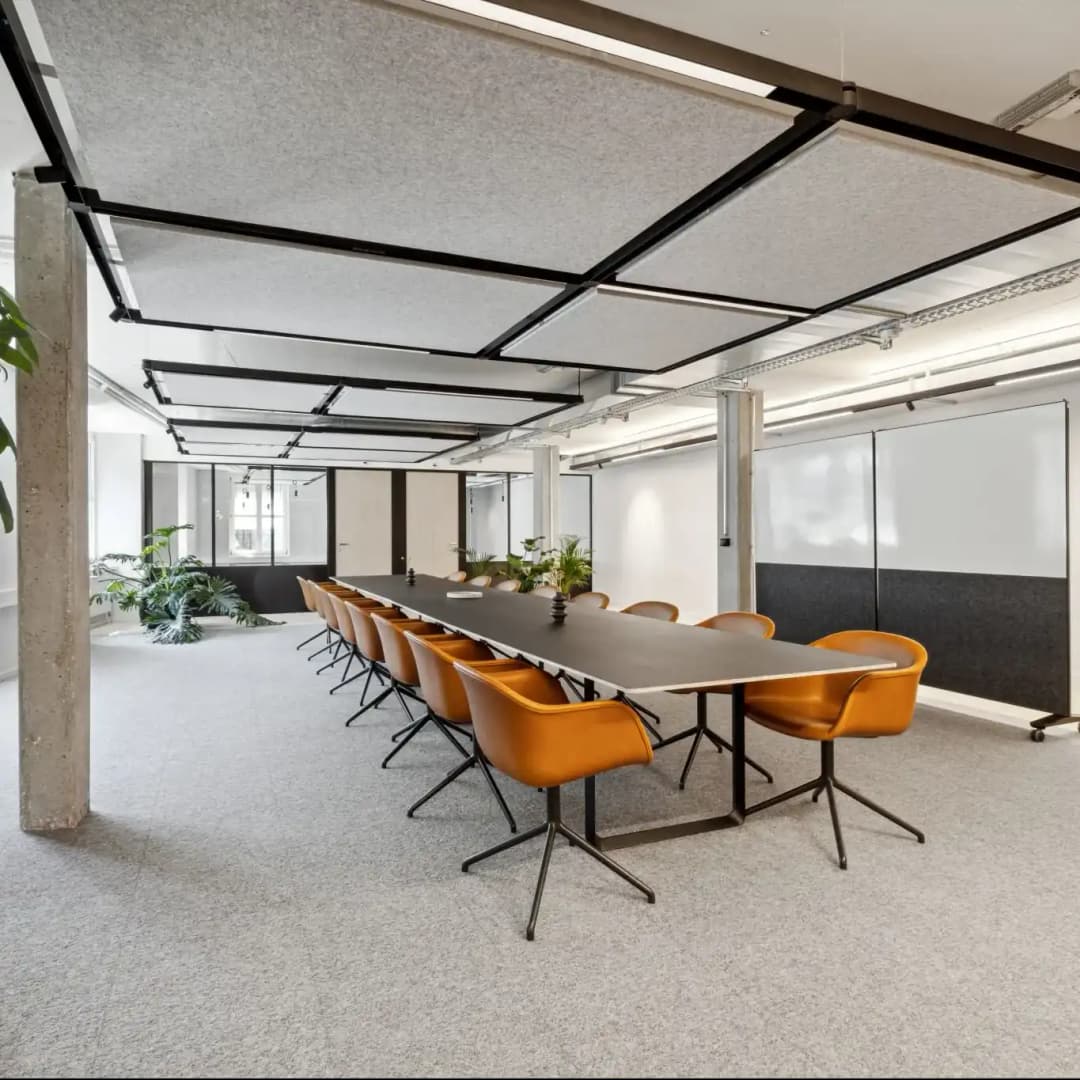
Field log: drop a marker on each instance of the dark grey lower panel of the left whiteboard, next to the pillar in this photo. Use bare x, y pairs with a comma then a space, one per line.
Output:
809, 602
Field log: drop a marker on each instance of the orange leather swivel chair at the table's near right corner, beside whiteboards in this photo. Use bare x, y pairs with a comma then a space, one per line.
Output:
827, 708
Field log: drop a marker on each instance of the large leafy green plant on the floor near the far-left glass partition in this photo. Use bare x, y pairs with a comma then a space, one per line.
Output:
170, 593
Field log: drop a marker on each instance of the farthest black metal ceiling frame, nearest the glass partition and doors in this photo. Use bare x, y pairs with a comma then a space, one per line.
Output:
455, 435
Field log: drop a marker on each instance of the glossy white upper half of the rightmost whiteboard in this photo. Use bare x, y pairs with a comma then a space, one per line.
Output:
977, 495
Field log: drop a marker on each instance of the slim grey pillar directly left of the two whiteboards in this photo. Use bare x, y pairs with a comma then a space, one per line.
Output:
737, 422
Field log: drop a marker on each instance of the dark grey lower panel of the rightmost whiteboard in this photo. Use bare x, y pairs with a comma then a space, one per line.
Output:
1000, 637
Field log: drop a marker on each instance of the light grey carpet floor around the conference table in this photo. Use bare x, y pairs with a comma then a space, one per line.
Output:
249, 899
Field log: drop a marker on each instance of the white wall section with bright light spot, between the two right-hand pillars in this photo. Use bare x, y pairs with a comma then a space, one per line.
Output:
655, 531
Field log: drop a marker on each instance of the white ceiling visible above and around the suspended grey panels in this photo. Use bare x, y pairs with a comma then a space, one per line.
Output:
970, 57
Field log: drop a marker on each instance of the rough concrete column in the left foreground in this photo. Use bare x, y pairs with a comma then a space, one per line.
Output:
53, 560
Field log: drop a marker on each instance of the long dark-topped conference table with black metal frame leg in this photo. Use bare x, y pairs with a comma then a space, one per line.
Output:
628, 653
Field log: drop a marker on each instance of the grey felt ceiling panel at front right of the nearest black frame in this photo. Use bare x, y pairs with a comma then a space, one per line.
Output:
848, 213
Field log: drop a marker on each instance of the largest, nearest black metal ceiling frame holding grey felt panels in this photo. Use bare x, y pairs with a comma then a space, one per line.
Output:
826, 102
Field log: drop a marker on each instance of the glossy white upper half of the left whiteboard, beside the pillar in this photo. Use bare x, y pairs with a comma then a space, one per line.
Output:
814, 504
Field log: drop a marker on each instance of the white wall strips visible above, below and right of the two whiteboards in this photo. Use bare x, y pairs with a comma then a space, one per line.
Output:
1035, 394
